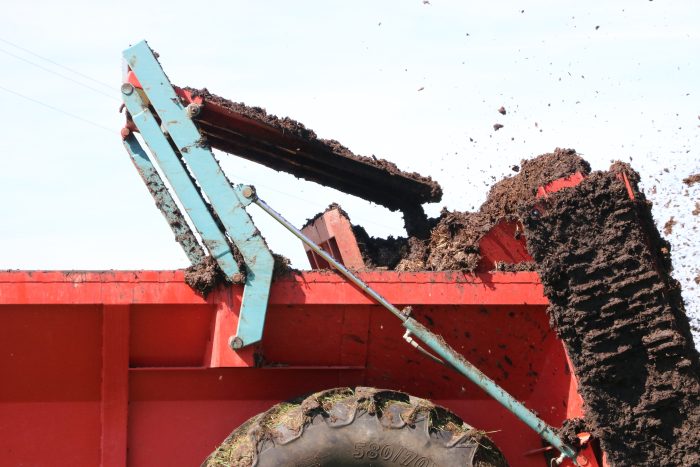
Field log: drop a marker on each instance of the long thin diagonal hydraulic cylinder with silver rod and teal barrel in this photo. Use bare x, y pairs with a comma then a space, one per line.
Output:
451, 357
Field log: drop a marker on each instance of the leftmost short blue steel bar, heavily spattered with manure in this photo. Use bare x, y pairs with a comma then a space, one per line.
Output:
164, 201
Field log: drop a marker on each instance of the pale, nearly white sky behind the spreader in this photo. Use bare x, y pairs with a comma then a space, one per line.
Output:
351, 71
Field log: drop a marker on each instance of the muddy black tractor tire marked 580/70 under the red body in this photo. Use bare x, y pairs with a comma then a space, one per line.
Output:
351, 427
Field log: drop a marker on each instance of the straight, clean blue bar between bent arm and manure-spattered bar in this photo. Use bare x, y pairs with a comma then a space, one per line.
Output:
179, 179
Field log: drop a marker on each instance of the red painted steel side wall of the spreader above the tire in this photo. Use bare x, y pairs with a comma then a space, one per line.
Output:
108, 368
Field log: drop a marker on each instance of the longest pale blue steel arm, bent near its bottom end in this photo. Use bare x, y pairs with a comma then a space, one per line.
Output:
228, 202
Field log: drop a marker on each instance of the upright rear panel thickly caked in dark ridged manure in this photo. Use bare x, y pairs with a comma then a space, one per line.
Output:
606, 272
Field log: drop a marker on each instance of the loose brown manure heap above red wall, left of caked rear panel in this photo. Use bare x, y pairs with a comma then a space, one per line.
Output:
453, 243
